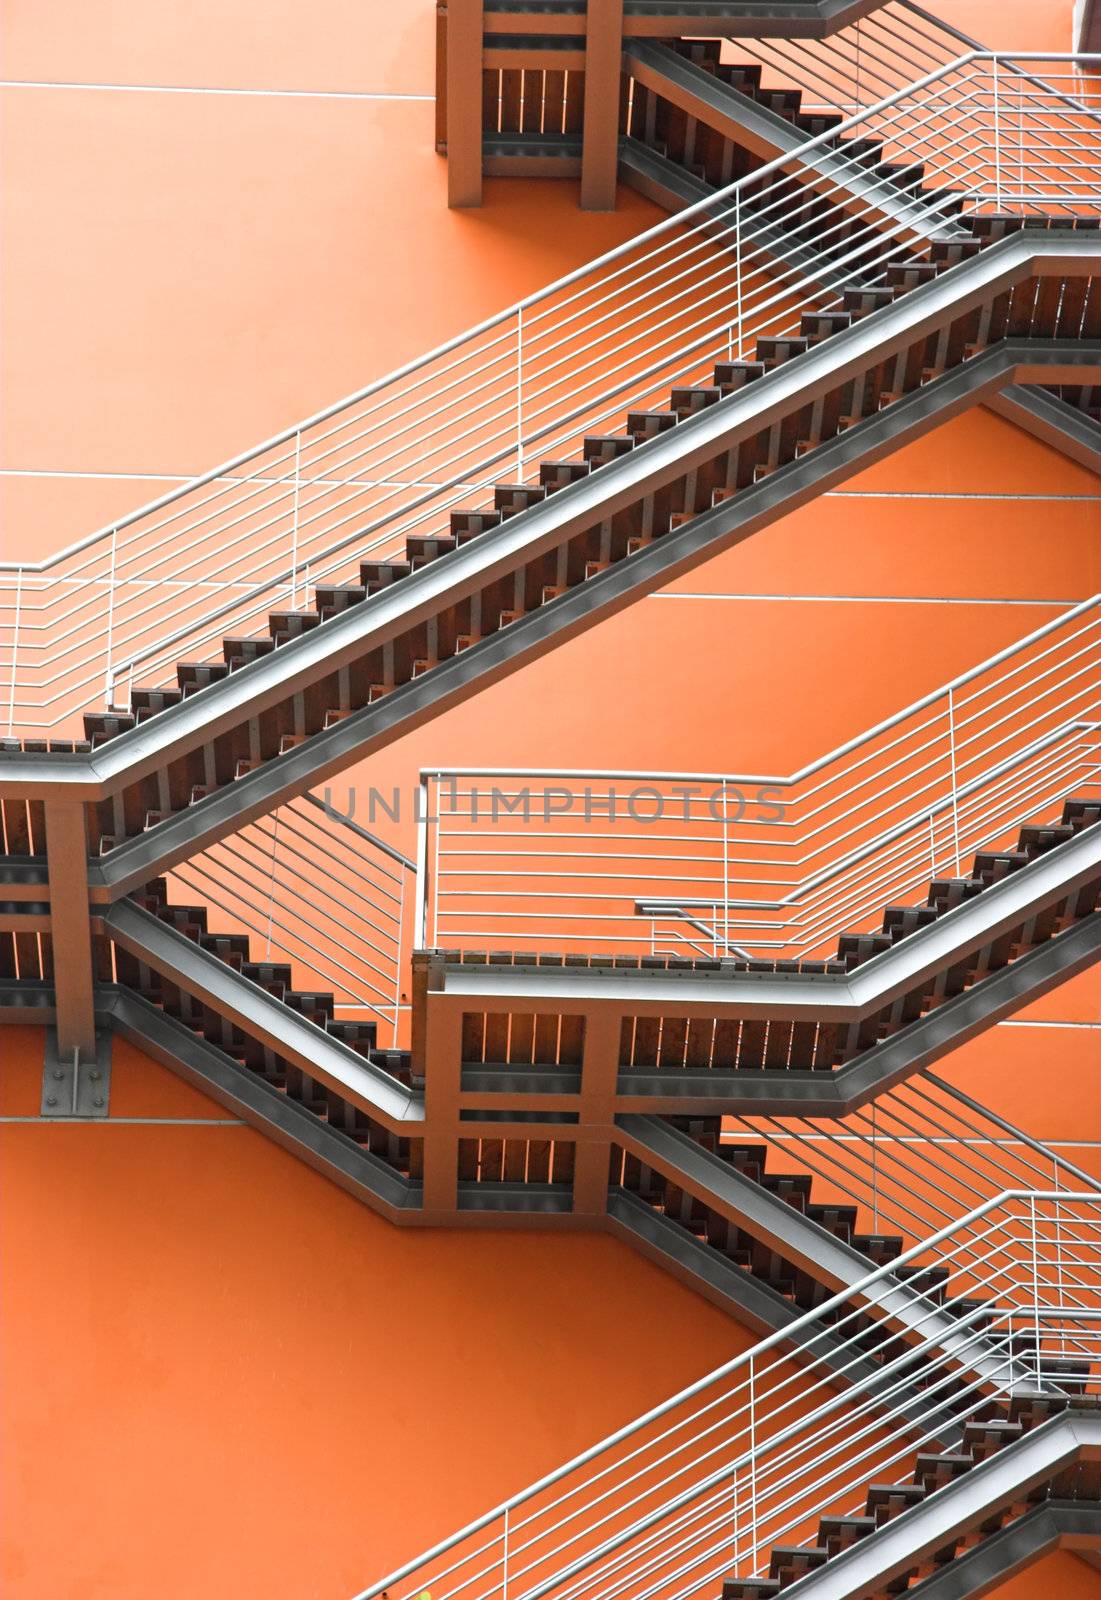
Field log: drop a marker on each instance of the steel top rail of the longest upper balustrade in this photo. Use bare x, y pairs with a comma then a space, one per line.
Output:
287, 434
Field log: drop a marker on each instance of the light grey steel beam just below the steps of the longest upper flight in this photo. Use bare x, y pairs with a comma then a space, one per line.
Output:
654, 465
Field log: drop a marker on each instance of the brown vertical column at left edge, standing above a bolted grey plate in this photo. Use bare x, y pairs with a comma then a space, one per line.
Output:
71, 929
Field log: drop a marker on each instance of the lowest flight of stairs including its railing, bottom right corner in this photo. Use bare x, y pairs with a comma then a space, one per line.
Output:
839, 1458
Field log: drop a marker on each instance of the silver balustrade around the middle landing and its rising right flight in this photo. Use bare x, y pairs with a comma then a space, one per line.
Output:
766, 865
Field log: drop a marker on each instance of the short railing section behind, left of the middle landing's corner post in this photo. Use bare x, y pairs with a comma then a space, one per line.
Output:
316, 890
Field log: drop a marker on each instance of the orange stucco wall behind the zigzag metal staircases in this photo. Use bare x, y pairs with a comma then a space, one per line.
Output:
222, 1375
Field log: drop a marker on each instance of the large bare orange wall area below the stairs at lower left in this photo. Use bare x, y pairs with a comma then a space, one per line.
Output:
239, 1382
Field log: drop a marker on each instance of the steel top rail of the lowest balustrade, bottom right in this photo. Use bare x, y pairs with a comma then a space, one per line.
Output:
1031, 1199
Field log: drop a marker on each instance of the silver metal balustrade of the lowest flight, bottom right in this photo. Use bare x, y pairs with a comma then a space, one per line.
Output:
702, 1487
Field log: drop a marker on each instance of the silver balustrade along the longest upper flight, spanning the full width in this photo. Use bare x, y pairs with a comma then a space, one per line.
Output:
81, 630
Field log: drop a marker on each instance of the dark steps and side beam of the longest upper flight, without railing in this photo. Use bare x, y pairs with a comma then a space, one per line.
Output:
729, 463
